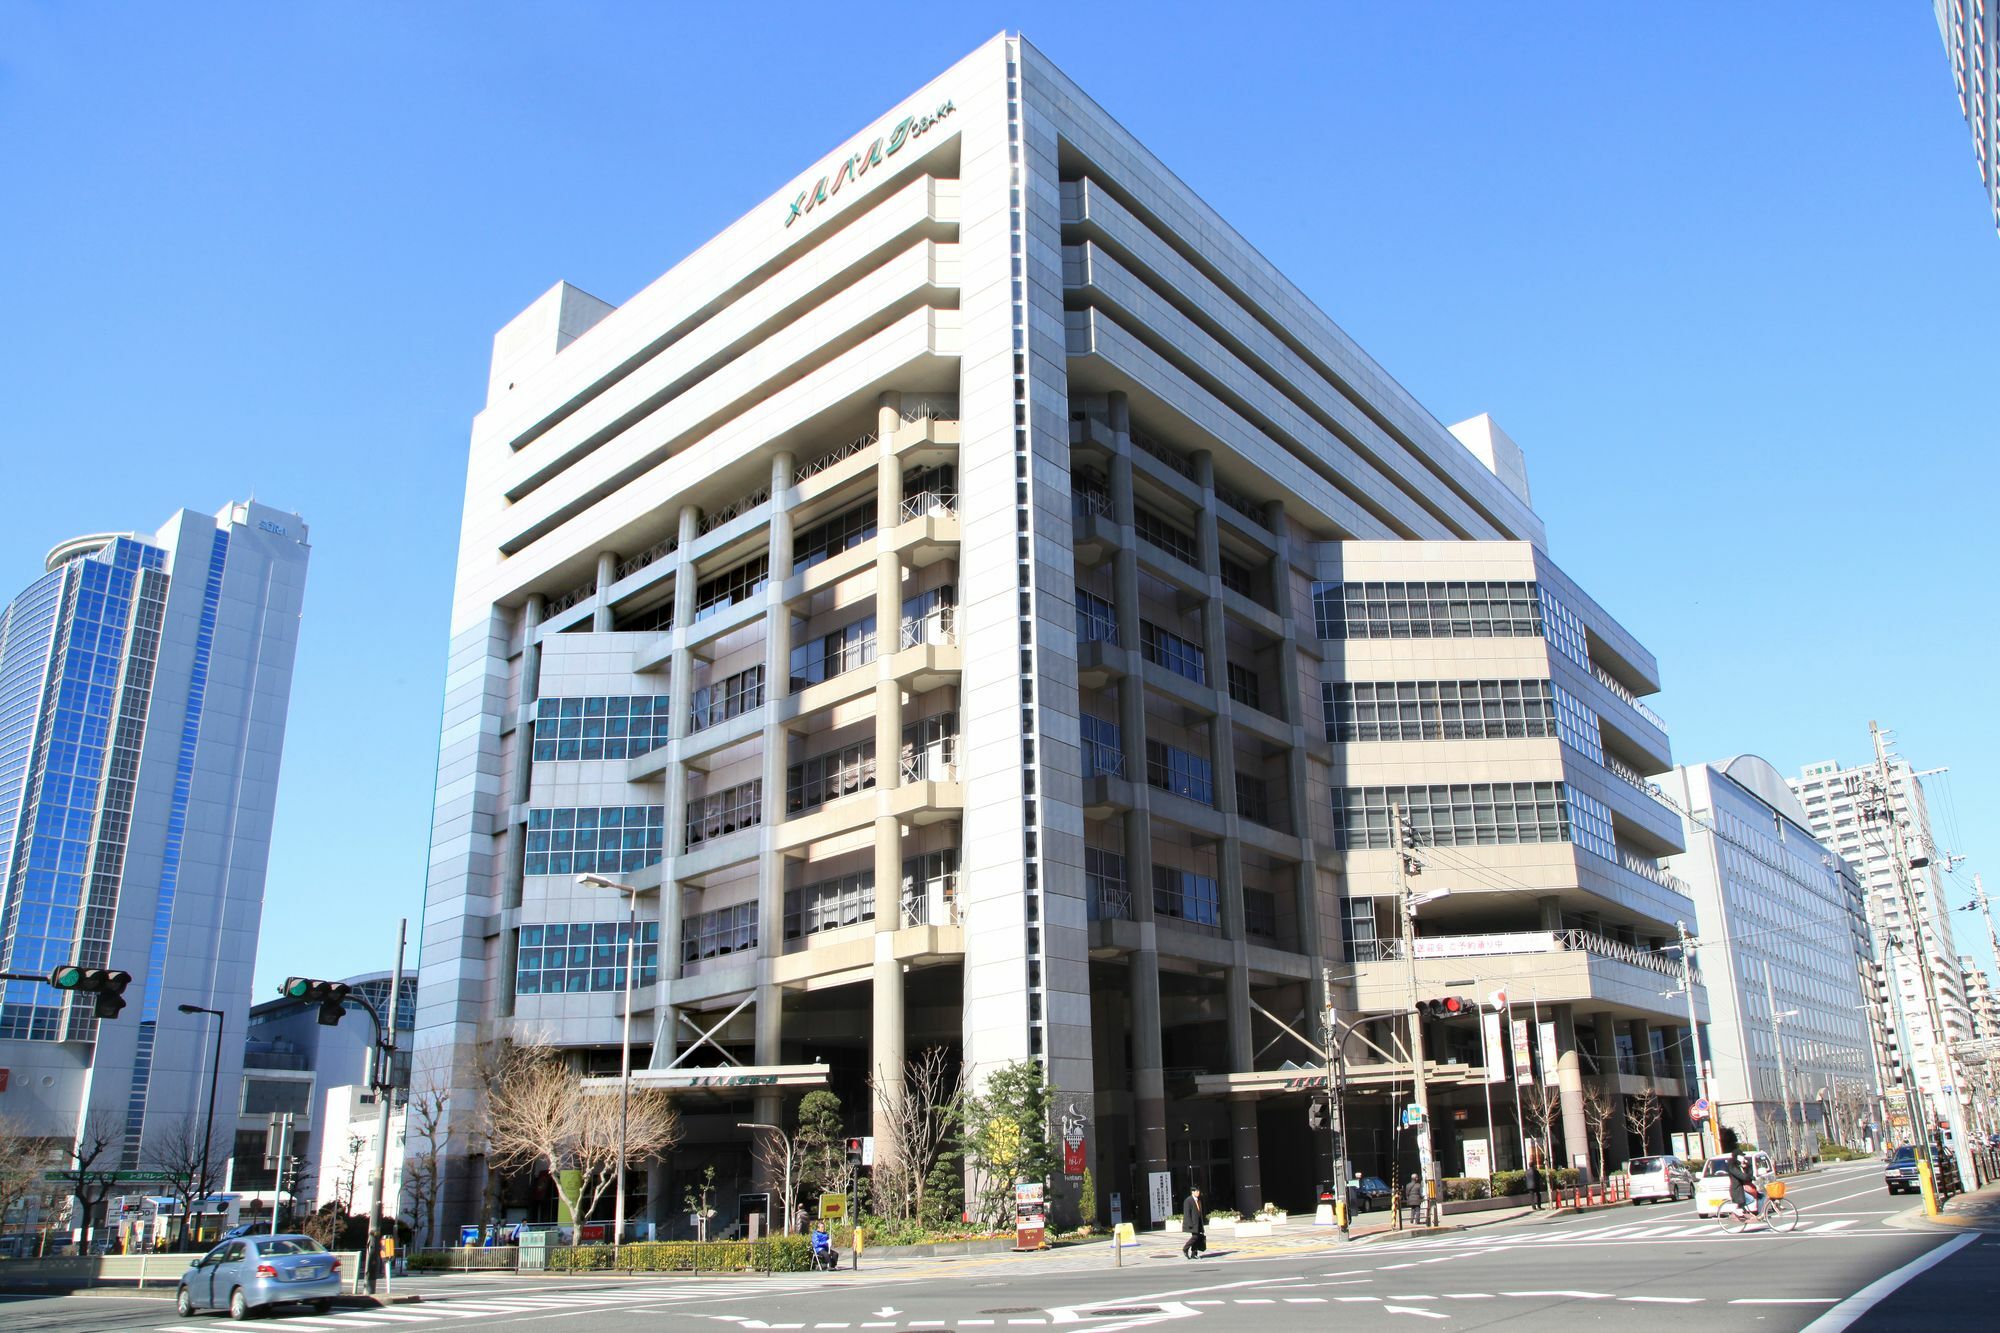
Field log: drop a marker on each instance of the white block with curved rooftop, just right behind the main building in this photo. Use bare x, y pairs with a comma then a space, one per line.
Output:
1787, 958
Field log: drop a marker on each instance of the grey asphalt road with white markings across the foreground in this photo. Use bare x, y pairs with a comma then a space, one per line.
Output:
1641, 1268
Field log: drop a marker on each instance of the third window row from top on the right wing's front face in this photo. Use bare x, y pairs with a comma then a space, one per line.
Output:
1453, 816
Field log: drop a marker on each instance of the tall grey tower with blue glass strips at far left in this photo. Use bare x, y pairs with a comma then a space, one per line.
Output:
143, 698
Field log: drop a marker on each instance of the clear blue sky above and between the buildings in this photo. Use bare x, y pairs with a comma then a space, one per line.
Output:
1723, 269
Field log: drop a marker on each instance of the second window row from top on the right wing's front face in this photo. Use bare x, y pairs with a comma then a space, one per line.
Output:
1439, 710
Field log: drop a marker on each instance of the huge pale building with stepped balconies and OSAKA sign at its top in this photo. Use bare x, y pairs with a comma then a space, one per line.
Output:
979, 603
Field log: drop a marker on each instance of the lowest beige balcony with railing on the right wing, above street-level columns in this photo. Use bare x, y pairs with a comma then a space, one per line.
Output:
1551, 968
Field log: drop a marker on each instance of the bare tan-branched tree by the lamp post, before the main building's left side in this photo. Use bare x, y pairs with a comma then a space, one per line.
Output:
543, 1120
